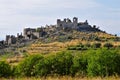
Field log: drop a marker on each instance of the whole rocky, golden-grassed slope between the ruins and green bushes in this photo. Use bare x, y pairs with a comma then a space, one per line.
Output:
57, 43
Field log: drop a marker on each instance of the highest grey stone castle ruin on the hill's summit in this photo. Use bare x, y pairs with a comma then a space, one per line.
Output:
74, 24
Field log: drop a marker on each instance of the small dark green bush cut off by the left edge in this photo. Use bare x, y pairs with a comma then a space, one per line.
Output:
5, 69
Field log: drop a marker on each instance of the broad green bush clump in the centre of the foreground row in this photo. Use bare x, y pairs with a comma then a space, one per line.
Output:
59, 64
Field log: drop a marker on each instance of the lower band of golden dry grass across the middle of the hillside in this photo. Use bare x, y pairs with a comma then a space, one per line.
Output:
58, 46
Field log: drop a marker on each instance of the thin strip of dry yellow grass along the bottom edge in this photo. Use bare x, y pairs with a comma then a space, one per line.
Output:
65, 78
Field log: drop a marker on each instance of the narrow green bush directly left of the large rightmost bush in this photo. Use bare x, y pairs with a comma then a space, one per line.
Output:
79, 66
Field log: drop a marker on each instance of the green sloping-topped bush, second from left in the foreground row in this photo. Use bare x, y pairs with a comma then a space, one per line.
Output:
27, 67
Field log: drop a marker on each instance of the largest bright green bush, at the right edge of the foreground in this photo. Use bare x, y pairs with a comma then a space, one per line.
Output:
103, 63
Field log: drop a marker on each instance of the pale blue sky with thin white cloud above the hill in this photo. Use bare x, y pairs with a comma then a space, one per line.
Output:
15, 15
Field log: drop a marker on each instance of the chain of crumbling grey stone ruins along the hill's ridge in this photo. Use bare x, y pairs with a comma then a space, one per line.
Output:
36, 33
